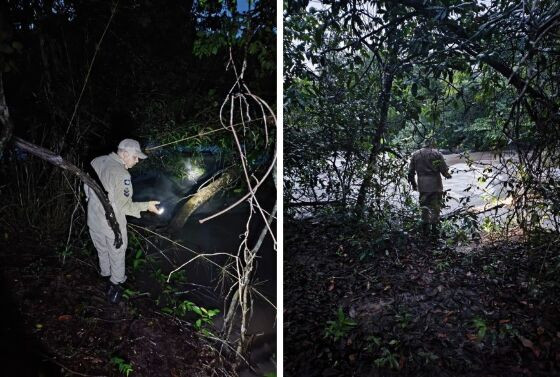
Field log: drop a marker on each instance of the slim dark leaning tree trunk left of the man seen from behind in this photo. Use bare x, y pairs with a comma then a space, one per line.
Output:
383, 106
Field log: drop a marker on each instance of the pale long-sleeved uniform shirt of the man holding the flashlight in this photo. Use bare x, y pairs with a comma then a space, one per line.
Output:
116, 181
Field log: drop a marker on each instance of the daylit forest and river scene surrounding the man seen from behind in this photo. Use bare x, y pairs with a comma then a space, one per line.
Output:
367, 291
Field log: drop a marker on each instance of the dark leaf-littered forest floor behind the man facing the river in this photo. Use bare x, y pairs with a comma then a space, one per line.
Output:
419, 309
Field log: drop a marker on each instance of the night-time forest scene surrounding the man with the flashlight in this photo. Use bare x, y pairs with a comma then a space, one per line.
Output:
195, 83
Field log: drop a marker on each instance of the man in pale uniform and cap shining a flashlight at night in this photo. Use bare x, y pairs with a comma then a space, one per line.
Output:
112, 171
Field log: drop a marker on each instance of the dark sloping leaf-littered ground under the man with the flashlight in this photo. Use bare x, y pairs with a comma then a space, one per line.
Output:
56, 321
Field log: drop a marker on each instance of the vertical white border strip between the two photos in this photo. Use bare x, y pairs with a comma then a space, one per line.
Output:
279, 185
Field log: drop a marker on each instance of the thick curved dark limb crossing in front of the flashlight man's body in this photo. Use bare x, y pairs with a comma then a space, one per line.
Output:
58, 161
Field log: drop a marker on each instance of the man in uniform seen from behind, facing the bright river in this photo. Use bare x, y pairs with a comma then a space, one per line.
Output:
429, 165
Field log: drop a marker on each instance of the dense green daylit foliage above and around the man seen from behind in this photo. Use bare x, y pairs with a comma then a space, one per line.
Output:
367, 81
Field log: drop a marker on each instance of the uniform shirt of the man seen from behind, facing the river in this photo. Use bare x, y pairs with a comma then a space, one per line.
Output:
429, 165
